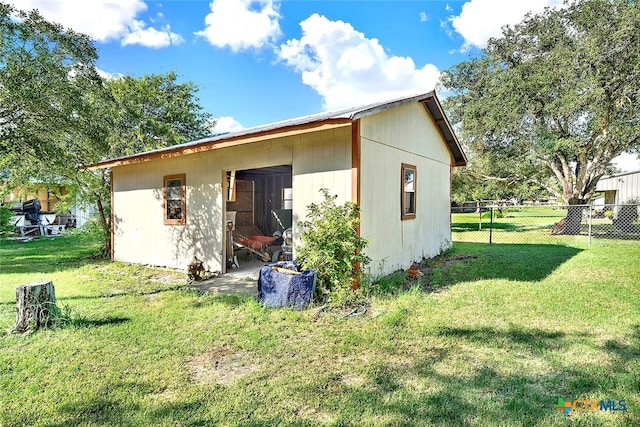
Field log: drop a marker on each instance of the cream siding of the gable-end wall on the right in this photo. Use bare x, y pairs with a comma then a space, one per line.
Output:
405, 134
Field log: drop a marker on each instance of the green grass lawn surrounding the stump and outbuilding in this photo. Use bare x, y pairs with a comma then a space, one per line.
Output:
493, 336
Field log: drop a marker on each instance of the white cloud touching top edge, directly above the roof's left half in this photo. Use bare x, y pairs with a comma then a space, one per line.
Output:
241, 24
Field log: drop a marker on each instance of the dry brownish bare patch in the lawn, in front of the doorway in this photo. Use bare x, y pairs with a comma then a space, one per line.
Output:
220, 366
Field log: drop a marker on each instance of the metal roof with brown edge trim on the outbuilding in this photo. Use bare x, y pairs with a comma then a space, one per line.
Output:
343, 116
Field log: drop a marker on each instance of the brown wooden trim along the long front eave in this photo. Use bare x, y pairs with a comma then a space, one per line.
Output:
225, 143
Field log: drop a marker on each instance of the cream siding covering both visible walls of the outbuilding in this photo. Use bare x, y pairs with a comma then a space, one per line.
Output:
322, 159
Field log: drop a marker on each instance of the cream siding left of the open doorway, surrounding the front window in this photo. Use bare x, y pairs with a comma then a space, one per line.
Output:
140, 235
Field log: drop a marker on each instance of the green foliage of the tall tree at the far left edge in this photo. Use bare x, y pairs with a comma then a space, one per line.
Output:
47, 76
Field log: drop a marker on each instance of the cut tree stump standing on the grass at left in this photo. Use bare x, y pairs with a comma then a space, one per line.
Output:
36, 306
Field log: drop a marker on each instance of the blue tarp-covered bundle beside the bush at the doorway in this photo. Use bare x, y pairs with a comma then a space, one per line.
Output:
285, 289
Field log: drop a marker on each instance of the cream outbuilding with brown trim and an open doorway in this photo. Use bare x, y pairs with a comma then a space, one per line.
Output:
393, 158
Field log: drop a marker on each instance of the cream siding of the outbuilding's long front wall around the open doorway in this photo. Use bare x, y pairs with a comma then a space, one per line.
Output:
320, 160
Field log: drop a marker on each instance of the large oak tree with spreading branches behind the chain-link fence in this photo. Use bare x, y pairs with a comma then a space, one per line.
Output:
555, 98
